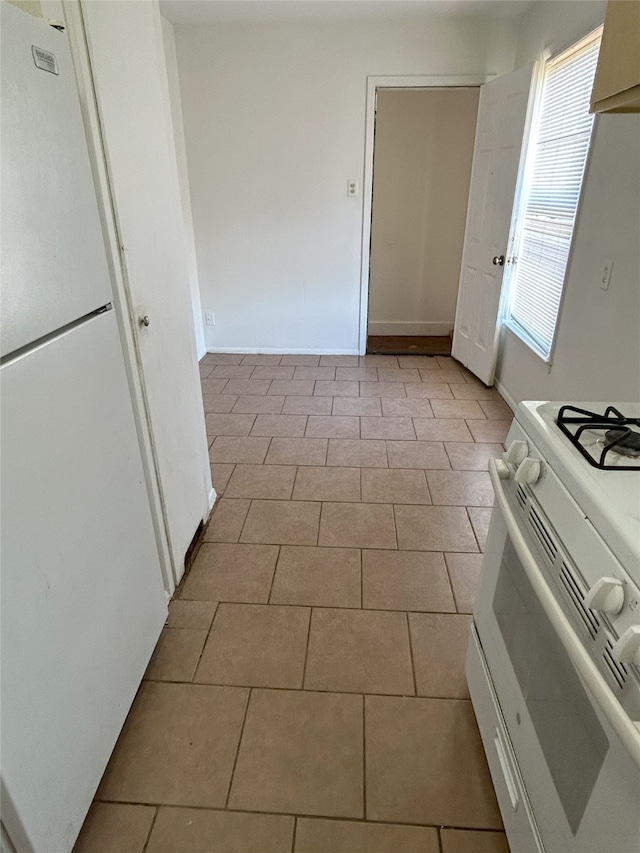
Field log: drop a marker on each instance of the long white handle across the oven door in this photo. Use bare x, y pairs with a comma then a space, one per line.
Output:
627, 729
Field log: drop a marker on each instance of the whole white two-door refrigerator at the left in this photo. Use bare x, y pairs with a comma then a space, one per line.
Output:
82, 595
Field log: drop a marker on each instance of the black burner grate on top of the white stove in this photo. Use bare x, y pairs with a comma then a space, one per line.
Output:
619, 438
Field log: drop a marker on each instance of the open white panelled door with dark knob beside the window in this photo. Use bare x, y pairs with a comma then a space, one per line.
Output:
502, 116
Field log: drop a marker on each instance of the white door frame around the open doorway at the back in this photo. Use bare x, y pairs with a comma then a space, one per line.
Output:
448, 81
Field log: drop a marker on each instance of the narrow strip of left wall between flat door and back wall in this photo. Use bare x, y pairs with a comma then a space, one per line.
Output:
168, 37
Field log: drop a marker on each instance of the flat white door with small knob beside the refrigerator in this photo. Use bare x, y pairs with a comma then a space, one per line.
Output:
127, 61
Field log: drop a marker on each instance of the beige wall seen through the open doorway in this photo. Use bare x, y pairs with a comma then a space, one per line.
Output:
422, 168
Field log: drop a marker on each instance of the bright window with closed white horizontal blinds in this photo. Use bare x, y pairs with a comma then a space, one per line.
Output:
554, 168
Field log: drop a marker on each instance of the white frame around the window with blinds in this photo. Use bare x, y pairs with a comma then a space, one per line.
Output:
521, 196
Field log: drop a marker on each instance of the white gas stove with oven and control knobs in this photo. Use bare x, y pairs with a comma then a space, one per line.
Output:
553, 662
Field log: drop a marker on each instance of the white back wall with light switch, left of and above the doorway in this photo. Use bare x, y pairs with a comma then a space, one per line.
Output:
274, 126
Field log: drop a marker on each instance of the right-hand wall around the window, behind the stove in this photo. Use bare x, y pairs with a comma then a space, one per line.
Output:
597, 355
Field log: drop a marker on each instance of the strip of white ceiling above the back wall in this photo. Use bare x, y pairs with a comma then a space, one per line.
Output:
257, 11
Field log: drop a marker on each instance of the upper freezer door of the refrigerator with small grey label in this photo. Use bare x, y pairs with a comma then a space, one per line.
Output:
54, 266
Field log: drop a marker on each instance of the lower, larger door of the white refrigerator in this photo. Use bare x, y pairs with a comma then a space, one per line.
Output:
83, 602
